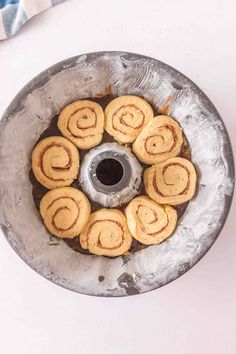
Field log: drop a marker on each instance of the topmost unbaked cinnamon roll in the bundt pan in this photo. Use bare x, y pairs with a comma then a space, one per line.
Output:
126, 116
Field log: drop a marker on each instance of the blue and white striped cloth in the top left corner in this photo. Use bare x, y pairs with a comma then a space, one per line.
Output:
14, 13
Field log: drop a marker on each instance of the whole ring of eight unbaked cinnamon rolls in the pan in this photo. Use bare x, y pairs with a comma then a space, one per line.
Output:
156, 141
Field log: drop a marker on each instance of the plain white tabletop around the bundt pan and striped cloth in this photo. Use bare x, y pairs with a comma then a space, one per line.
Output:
195, 314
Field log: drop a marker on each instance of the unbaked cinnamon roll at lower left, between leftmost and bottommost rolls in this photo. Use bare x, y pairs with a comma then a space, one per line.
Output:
65, 211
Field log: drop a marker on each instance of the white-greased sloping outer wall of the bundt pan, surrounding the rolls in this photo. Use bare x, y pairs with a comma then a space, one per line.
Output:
118, 73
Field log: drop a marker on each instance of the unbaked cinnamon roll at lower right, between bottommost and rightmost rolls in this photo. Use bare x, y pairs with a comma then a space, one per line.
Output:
150, 223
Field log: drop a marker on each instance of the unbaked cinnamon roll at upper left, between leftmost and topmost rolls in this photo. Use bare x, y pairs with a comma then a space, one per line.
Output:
82, 122
